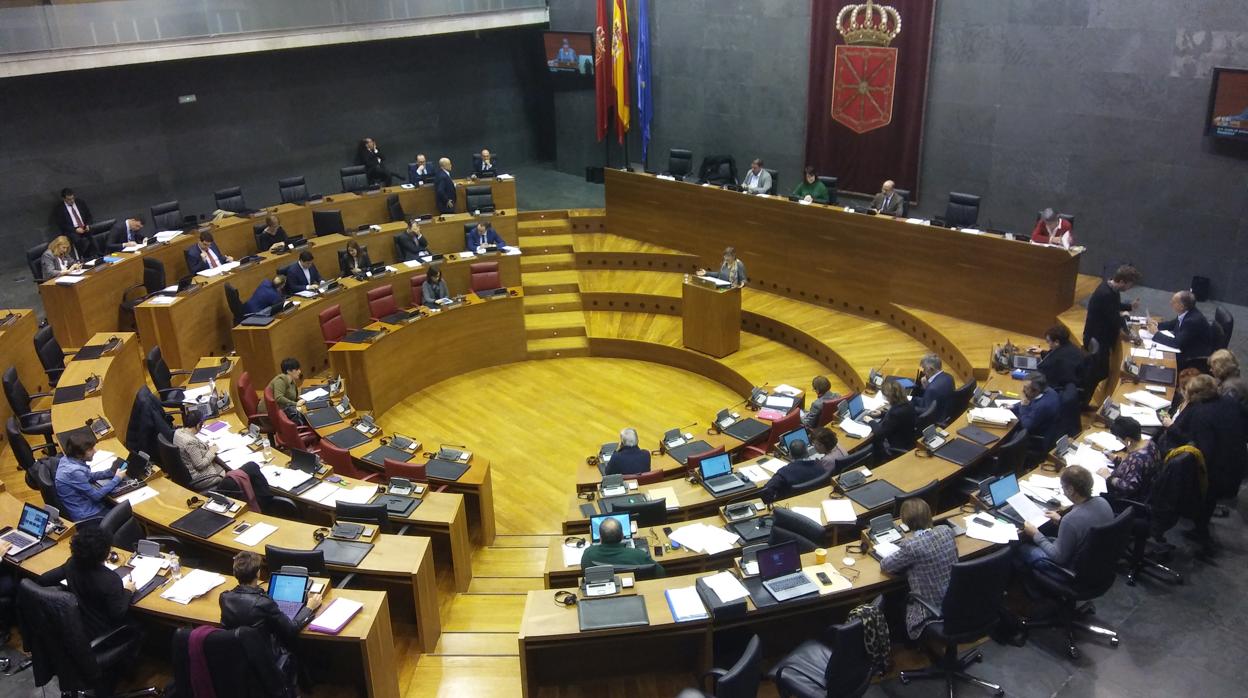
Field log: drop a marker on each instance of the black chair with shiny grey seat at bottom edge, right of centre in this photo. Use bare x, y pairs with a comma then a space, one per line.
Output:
834, 666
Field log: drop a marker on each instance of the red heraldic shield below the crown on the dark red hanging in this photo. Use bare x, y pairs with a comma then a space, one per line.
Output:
863, 87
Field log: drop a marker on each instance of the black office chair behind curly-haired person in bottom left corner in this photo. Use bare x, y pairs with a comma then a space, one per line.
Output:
54, 631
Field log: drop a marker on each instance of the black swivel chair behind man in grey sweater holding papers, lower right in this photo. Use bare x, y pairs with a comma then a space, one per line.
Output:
1090, 576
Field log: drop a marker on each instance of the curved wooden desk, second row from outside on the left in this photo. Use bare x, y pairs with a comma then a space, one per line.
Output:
395, 563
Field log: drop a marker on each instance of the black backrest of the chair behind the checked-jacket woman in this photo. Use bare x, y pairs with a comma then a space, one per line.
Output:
975, 592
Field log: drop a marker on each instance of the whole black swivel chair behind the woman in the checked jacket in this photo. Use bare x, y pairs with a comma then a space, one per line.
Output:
970, 611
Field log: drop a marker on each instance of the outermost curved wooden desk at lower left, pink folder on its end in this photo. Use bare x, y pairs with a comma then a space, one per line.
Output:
369, 631
